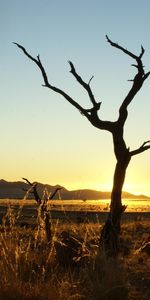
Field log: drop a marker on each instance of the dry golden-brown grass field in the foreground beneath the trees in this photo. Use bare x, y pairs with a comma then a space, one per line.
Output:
70, 267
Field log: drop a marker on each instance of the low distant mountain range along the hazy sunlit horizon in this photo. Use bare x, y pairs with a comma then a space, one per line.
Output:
16, 190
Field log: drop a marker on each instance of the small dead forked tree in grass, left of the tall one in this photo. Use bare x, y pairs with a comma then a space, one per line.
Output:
42, 204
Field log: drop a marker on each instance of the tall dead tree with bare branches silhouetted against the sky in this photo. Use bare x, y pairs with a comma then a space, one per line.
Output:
109, 239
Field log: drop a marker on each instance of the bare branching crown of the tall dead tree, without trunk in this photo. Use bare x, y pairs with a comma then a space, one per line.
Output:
92, 113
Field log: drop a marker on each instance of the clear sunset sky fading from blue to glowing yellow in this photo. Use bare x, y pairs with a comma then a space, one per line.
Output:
42, 136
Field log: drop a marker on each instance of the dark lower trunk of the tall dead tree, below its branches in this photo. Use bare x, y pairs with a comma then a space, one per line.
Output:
109, 239
